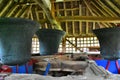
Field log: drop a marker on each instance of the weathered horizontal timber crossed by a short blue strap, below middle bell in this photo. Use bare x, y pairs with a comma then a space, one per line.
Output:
58, 65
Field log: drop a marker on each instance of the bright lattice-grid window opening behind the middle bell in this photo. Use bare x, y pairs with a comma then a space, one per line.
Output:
82, 43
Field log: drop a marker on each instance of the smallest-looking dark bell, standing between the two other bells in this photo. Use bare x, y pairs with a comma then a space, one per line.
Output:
49, 40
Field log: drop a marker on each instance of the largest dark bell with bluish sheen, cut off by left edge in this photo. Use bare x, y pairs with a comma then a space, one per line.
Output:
15, 40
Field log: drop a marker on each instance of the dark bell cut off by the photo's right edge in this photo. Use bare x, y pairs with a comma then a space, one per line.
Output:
109, 39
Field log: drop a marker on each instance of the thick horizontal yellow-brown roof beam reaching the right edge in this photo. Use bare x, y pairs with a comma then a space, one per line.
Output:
90, 19
